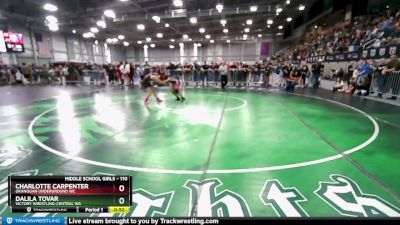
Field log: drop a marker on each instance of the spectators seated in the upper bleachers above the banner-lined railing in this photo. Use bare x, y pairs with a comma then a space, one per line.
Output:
372, 31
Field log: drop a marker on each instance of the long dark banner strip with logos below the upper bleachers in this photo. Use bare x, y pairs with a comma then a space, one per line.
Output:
373, 53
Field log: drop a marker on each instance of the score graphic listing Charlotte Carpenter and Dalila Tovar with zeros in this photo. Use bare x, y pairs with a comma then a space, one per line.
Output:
69, 193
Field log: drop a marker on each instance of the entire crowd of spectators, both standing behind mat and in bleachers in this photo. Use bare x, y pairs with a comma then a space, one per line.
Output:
287, 66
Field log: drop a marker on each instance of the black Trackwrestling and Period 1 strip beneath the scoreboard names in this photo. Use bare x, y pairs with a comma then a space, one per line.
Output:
79, 209
